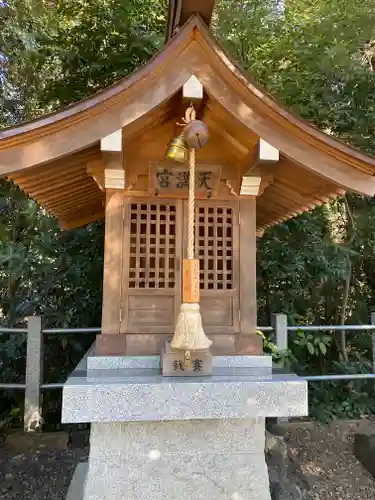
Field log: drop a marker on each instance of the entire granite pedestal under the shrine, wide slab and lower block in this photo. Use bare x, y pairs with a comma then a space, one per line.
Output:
169, 438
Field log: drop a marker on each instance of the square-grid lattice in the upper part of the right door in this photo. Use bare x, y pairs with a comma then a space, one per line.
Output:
214, 247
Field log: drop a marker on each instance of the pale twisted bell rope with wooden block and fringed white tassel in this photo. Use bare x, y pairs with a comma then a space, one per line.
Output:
189, 334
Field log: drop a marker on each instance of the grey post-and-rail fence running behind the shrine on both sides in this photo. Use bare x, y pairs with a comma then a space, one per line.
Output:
34, 333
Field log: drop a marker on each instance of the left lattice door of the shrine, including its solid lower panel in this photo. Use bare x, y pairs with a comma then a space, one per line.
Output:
153, 281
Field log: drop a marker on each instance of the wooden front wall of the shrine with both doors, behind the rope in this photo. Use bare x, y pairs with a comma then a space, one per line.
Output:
145, 243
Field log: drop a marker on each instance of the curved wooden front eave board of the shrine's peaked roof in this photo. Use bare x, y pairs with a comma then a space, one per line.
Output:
85, 122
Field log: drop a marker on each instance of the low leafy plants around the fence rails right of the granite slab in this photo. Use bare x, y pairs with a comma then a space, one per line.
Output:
308, 354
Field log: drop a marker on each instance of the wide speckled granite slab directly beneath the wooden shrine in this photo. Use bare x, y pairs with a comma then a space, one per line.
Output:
143, 394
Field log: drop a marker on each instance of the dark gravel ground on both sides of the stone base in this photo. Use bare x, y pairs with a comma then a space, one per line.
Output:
40, 467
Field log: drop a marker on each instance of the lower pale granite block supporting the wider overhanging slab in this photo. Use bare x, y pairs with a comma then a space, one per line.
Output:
200, 460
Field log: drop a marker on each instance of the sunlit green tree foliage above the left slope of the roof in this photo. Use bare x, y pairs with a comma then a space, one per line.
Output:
57, 52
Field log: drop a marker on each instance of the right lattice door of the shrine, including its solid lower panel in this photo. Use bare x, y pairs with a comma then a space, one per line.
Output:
216, 243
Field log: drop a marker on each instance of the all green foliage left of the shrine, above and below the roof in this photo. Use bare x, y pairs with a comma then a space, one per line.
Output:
54, 53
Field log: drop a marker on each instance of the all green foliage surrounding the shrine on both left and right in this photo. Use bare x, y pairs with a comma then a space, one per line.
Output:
317, 57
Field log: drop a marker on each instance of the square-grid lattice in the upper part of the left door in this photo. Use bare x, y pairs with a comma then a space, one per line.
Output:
152, 246
